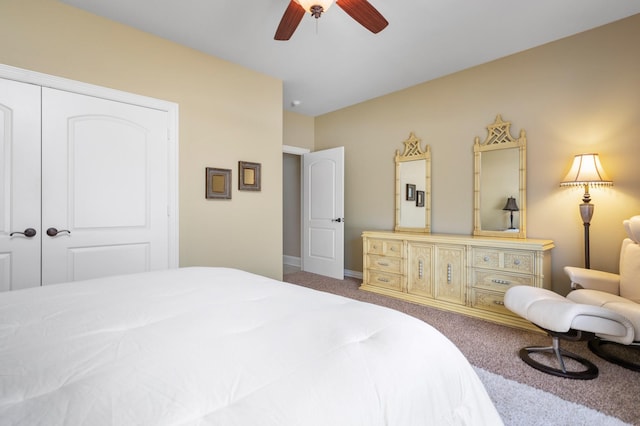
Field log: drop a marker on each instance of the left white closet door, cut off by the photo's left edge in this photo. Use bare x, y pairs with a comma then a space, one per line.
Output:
19, 185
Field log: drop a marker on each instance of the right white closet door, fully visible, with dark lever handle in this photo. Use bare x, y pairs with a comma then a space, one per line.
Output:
104, 187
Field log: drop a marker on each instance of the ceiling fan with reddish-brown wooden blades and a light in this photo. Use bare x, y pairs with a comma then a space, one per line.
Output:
360, 10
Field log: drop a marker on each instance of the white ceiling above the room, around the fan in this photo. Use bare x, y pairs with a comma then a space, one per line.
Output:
334, 62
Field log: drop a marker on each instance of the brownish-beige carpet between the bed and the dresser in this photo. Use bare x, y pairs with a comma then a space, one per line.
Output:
494, 347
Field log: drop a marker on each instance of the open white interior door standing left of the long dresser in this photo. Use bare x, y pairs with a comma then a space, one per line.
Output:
323, 212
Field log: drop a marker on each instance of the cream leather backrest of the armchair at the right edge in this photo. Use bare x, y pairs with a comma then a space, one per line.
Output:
630, 261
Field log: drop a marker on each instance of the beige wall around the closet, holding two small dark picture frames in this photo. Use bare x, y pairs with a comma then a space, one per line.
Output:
227, 114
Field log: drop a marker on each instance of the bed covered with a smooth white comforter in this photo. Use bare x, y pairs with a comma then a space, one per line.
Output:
219, 346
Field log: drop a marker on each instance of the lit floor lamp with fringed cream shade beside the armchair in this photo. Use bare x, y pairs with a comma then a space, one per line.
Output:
586, 170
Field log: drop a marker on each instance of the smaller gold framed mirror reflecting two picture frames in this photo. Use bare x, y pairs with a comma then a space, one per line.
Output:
413, 187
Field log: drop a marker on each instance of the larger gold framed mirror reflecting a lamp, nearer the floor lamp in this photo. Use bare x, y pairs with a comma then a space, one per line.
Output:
500, 170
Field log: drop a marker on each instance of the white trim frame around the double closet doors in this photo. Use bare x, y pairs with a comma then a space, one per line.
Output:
171, 108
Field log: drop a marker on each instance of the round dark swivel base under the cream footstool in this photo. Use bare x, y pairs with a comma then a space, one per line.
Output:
590, 371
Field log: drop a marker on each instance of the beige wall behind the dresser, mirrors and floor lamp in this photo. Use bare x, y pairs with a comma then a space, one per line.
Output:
576, 95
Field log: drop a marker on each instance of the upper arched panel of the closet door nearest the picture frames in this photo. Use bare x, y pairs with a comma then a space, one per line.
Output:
107, 159
